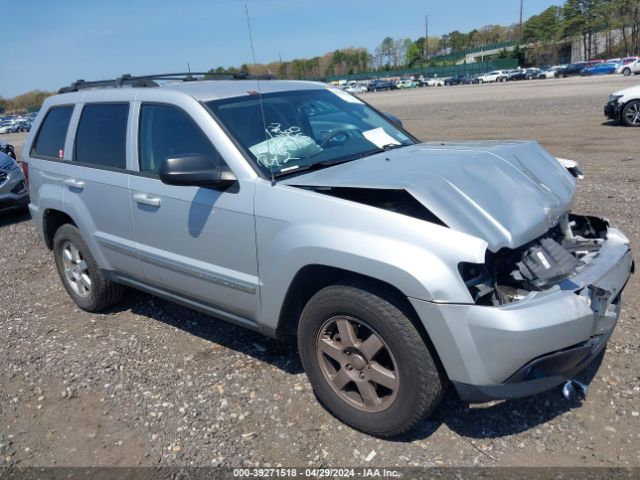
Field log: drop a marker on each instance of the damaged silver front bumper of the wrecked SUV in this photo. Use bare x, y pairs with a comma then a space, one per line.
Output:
528, 346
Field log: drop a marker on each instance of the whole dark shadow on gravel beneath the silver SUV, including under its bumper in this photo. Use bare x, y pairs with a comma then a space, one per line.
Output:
477, 421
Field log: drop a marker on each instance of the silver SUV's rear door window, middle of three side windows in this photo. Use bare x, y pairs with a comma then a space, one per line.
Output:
102, 135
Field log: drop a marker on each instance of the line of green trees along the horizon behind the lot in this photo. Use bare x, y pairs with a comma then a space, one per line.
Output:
541, 39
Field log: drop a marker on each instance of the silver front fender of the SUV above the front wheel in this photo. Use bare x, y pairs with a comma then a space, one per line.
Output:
420, 259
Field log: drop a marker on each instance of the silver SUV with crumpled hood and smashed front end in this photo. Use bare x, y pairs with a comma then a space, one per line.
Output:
296, 208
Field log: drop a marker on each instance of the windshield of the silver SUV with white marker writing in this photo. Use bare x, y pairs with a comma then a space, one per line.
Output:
298, 130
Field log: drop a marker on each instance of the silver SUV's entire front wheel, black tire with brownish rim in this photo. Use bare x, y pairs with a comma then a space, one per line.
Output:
366, 361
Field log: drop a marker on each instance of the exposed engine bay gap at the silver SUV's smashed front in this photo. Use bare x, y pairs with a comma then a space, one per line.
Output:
510, 274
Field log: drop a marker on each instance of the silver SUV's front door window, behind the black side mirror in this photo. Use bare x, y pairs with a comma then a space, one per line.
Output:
167, 132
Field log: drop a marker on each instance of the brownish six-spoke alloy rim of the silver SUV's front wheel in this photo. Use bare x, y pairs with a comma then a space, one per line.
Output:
357, 364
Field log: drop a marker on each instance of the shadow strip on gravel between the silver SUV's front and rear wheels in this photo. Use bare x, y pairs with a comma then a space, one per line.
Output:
281, 354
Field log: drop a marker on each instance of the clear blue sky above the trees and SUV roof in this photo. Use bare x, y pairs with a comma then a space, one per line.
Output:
49, 44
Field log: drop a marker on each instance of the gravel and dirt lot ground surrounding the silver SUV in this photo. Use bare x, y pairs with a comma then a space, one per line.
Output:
151, 383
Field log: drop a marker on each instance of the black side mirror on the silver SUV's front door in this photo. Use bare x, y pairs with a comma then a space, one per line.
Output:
194, 171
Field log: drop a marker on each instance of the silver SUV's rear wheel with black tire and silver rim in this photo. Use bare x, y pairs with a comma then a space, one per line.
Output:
82, 278
